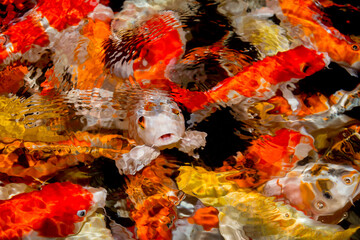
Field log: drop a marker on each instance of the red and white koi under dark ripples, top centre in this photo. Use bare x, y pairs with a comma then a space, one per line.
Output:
145, 50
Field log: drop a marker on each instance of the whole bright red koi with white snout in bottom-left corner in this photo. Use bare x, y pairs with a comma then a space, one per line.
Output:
57, 210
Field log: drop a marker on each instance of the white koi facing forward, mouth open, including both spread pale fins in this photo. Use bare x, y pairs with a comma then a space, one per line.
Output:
156, 123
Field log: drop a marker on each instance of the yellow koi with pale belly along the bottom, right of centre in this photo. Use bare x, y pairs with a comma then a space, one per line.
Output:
246, 213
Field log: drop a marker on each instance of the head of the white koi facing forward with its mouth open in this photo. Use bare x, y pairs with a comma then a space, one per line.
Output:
158, 122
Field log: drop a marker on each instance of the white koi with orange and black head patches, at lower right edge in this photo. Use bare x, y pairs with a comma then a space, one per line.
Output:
318, 189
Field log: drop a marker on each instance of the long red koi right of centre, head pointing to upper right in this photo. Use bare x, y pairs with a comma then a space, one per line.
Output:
259, 80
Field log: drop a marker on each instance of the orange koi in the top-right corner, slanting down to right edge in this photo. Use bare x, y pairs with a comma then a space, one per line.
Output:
308, 16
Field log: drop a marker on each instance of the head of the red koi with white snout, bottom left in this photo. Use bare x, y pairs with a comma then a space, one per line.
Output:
69, 205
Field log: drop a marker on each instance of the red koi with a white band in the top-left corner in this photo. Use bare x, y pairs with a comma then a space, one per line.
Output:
47, 17
